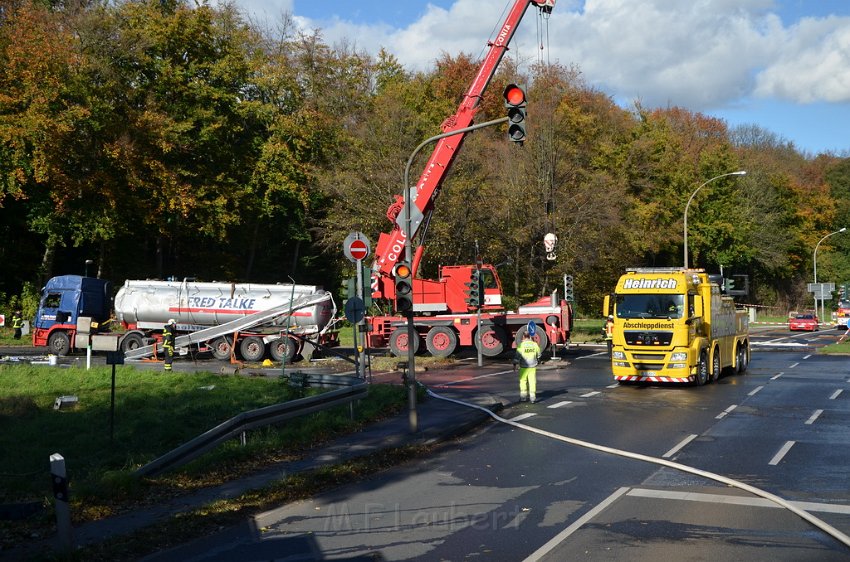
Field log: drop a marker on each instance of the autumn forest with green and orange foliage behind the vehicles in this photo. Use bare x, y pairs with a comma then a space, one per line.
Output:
175, 138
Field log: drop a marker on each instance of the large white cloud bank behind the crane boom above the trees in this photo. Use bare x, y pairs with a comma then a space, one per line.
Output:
702, 54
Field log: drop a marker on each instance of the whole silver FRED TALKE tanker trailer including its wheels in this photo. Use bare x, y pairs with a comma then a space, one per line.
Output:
254, 319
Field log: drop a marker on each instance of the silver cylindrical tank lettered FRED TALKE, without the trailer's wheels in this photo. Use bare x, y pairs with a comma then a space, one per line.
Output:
150, 304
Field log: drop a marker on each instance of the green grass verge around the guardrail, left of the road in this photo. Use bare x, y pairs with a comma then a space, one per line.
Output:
154, 413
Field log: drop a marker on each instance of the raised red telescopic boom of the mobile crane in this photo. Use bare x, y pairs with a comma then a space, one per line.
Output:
390, 245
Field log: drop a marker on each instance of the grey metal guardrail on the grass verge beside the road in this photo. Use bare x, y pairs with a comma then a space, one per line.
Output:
261, 418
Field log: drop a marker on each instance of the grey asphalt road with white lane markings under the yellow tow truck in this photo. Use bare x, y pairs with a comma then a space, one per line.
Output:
532, 489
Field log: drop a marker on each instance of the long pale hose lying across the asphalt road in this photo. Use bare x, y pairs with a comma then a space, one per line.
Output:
819, 523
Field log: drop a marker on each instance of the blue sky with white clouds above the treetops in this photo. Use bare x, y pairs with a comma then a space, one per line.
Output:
783, 65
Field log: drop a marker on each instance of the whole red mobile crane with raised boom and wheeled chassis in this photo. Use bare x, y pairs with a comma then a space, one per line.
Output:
442, 315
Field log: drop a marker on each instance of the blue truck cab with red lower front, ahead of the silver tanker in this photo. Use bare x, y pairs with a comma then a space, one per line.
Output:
64, 300
